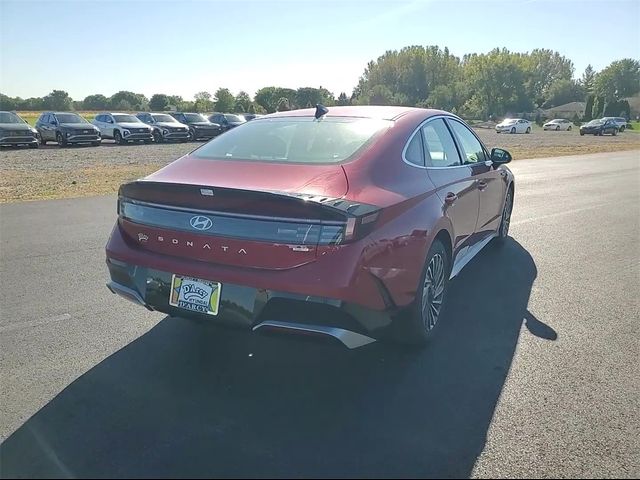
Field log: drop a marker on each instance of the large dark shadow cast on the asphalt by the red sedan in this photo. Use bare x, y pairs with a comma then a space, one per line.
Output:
188, 399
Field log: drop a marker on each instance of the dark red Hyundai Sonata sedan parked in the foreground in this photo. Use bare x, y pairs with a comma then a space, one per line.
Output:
340, 221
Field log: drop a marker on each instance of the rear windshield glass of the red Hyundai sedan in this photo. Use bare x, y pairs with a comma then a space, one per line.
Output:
294, 139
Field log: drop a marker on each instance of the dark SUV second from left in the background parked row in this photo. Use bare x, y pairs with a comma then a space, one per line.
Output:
66, 128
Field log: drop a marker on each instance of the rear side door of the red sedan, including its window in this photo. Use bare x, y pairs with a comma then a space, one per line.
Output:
454, 181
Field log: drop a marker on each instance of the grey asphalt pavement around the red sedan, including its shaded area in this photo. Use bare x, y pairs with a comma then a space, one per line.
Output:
535, 372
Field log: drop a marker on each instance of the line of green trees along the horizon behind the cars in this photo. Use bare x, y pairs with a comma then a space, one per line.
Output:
487, 85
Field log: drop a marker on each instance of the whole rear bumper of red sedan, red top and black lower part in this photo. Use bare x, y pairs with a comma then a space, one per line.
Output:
317, 293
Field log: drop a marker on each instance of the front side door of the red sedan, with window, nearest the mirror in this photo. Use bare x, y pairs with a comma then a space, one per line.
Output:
488, 181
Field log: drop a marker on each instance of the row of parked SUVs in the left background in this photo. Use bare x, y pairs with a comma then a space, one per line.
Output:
67, 128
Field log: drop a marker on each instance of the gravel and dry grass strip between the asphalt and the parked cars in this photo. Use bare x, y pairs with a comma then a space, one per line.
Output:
52, 172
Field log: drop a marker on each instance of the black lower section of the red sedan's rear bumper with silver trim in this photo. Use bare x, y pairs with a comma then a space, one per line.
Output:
254, 308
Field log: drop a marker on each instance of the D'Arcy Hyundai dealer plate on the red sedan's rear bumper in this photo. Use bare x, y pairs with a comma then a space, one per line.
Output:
195, 295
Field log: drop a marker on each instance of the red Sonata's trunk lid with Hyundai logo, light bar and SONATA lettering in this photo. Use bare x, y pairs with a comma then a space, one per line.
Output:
246, 214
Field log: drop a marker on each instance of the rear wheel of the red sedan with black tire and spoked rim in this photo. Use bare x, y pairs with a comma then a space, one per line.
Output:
421, 322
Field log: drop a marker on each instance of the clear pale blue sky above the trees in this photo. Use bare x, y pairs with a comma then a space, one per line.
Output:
183, 47
